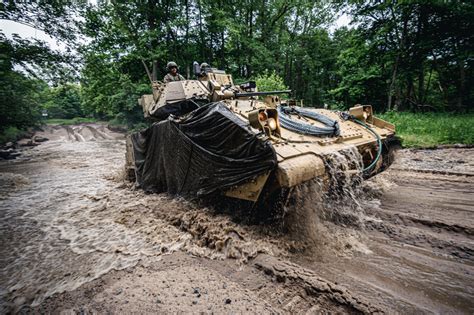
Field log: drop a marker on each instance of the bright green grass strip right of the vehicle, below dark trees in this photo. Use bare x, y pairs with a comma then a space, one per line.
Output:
431, 129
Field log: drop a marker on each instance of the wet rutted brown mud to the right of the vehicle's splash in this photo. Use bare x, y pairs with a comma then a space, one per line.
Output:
416, 227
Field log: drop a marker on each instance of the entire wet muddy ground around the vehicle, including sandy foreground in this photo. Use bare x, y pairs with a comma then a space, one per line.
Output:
74, 237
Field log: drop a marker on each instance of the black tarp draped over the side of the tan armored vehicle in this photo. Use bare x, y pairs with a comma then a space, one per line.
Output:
205, 151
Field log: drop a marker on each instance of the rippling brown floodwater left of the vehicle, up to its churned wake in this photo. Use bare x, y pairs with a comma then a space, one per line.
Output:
66, 218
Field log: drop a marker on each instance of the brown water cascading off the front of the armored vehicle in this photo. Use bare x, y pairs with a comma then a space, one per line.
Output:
327, 214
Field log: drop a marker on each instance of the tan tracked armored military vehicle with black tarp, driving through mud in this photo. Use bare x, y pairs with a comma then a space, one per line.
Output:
213, 137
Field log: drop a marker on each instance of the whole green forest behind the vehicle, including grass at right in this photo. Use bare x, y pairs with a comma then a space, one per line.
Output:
411, 60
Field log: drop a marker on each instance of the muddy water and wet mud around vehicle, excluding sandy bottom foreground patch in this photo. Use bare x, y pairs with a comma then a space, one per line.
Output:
403, 240
